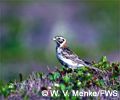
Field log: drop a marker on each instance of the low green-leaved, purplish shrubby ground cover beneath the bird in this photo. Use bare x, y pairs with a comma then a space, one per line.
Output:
64, 79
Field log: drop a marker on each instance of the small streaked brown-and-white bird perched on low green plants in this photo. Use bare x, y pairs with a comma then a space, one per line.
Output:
67, 57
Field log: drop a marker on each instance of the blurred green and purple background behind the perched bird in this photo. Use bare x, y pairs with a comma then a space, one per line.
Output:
27, 28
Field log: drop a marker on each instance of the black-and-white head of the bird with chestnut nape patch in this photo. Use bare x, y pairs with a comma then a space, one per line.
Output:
60, 41
